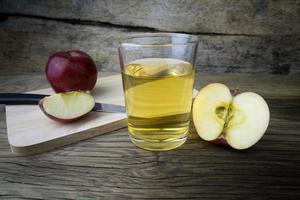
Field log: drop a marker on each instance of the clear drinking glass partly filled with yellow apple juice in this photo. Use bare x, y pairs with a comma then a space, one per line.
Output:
158, 71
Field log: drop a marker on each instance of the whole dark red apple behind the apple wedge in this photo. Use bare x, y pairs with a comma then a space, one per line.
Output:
71, 71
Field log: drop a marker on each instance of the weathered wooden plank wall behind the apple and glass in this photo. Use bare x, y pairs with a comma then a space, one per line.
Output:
237, 36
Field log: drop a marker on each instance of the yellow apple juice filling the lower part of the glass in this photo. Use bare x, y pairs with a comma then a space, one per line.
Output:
158, 94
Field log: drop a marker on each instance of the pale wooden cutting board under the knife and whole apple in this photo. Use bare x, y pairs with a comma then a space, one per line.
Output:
30, 131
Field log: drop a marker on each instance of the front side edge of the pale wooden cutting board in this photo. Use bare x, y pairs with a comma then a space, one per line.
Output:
68, 139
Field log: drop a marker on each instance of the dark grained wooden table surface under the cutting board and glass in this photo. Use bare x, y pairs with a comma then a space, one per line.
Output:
110, 166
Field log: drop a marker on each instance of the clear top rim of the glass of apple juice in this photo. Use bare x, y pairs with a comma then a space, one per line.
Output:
190, 39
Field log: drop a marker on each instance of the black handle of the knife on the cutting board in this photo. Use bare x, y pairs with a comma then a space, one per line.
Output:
20, 99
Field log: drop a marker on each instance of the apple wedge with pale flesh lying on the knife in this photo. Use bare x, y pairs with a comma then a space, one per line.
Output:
67, 107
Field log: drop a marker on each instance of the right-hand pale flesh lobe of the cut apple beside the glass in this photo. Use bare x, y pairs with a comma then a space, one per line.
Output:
250, 120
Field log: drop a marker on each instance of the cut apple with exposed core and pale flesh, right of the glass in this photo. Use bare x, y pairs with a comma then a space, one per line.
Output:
238, 120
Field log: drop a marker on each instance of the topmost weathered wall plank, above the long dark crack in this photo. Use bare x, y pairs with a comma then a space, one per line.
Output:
258, 17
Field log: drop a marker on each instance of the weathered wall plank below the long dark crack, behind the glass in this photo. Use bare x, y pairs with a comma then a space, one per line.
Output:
27, 43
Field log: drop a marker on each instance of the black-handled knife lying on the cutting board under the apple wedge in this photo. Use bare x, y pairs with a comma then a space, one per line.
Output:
33, 99
